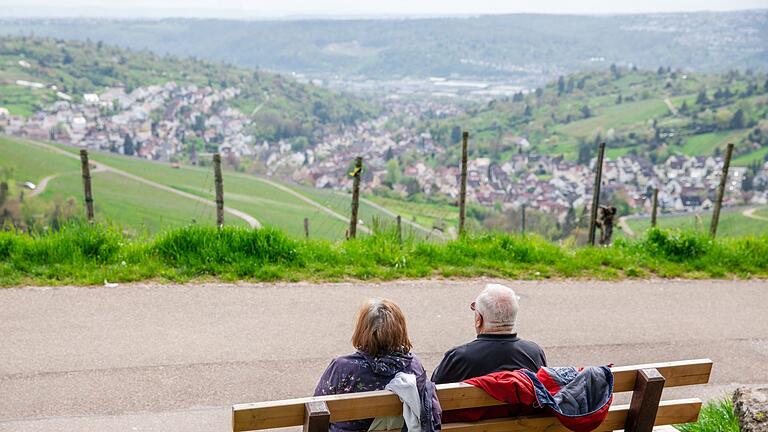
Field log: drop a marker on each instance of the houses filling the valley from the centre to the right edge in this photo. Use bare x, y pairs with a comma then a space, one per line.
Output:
551, 184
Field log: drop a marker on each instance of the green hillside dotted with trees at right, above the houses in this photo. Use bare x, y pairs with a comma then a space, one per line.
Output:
653, 114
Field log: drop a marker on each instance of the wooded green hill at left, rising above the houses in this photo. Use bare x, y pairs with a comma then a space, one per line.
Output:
35, 72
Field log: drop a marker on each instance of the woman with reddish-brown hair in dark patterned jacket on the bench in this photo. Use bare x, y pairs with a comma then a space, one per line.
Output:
383, 354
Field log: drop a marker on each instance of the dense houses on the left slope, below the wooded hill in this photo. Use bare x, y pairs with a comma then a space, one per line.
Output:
158, 120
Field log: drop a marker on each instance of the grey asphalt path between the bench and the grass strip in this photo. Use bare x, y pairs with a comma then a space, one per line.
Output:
175, 357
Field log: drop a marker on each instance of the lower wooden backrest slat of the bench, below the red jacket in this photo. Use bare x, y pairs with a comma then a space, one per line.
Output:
670, 412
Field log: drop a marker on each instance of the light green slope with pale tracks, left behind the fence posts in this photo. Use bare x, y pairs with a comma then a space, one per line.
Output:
139, 207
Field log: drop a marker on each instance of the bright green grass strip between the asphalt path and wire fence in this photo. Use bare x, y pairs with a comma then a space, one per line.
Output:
85, 255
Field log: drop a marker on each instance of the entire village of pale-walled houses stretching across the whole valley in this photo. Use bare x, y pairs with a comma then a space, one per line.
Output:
158, 122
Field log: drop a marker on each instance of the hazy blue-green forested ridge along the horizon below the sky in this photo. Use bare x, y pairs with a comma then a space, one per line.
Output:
530, 49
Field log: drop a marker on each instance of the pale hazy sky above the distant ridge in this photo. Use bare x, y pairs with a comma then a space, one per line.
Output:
340, 8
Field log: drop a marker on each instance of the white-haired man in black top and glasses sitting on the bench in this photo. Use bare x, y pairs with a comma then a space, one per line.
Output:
497, 346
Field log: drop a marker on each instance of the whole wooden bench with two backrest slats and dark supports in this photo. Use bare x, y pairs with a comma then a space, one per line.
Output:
645, 410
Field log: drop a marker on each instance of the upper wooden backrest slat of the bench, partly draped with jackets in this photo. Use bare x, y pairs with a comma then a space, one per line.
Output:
355, 406
